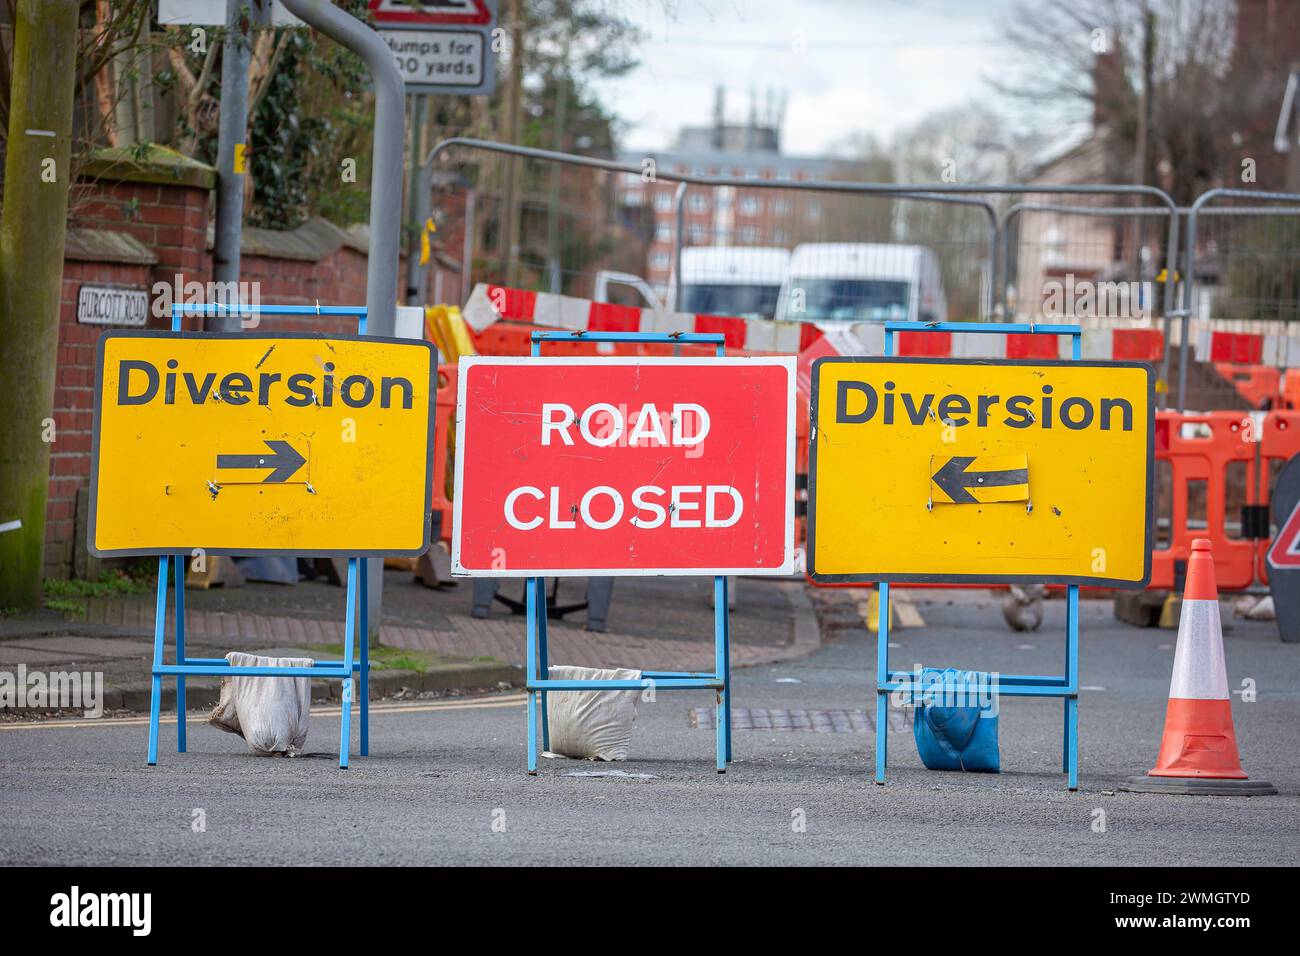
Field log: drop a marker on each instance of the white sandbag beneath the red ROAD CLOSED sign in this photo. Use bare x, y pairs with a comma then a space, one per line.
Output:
592, 725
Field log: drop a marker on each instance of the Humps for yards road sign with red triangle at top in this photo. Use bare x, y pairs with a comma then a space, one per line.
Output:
441, 46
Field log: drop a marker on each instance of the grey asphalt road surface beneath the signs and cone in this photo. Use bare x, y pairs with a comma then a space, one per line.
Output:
447, 784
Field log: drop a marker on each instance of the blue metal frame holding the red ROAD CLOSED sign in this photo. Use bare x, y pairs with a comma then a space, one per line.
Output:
718, 681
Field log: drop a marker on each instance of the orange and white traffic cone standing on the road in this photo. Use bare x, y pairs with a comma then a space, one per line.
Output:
1199, 754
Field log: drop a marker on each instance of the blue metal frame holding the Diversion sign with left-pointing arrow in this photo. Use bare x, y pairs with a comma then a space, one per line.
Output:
1009, 685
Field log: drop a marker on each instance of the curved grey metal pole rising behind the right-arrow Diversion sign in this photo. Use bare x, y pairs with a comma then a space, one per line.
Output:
382, 274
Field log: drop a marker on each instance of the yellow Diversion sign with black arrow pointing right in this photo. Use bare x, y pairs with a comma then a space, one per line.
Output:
262, 444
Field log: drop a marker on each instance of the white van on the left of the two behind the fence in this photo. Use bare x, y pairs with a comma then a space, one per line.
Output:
742, 282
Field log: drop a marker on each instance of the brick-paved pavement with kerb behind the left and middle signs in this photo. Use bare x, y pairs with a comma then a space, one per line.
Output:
662, 624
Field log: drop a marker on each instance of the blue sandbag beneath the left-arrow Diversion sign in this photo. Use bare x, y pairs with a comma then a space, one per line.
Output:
957, 738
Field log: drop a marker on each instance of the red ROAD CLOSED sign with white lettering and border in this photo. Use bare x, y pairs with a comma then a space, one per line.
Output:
625, 466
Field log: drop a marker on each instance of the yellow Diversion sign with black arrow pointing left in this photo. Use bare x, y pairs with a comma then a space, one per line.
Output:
942, 470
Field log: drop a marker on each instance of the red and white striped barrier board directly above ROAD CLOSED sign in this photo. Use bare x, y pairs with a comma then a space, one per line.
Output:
489, 304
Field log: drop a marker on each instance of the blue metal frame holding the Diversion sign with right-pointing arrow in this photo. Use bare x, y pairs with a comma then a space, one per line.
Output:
357, 624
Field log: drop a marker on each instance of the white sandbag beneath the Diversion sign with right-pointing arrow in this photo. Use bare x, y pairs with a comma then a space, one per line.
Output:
270, 713
